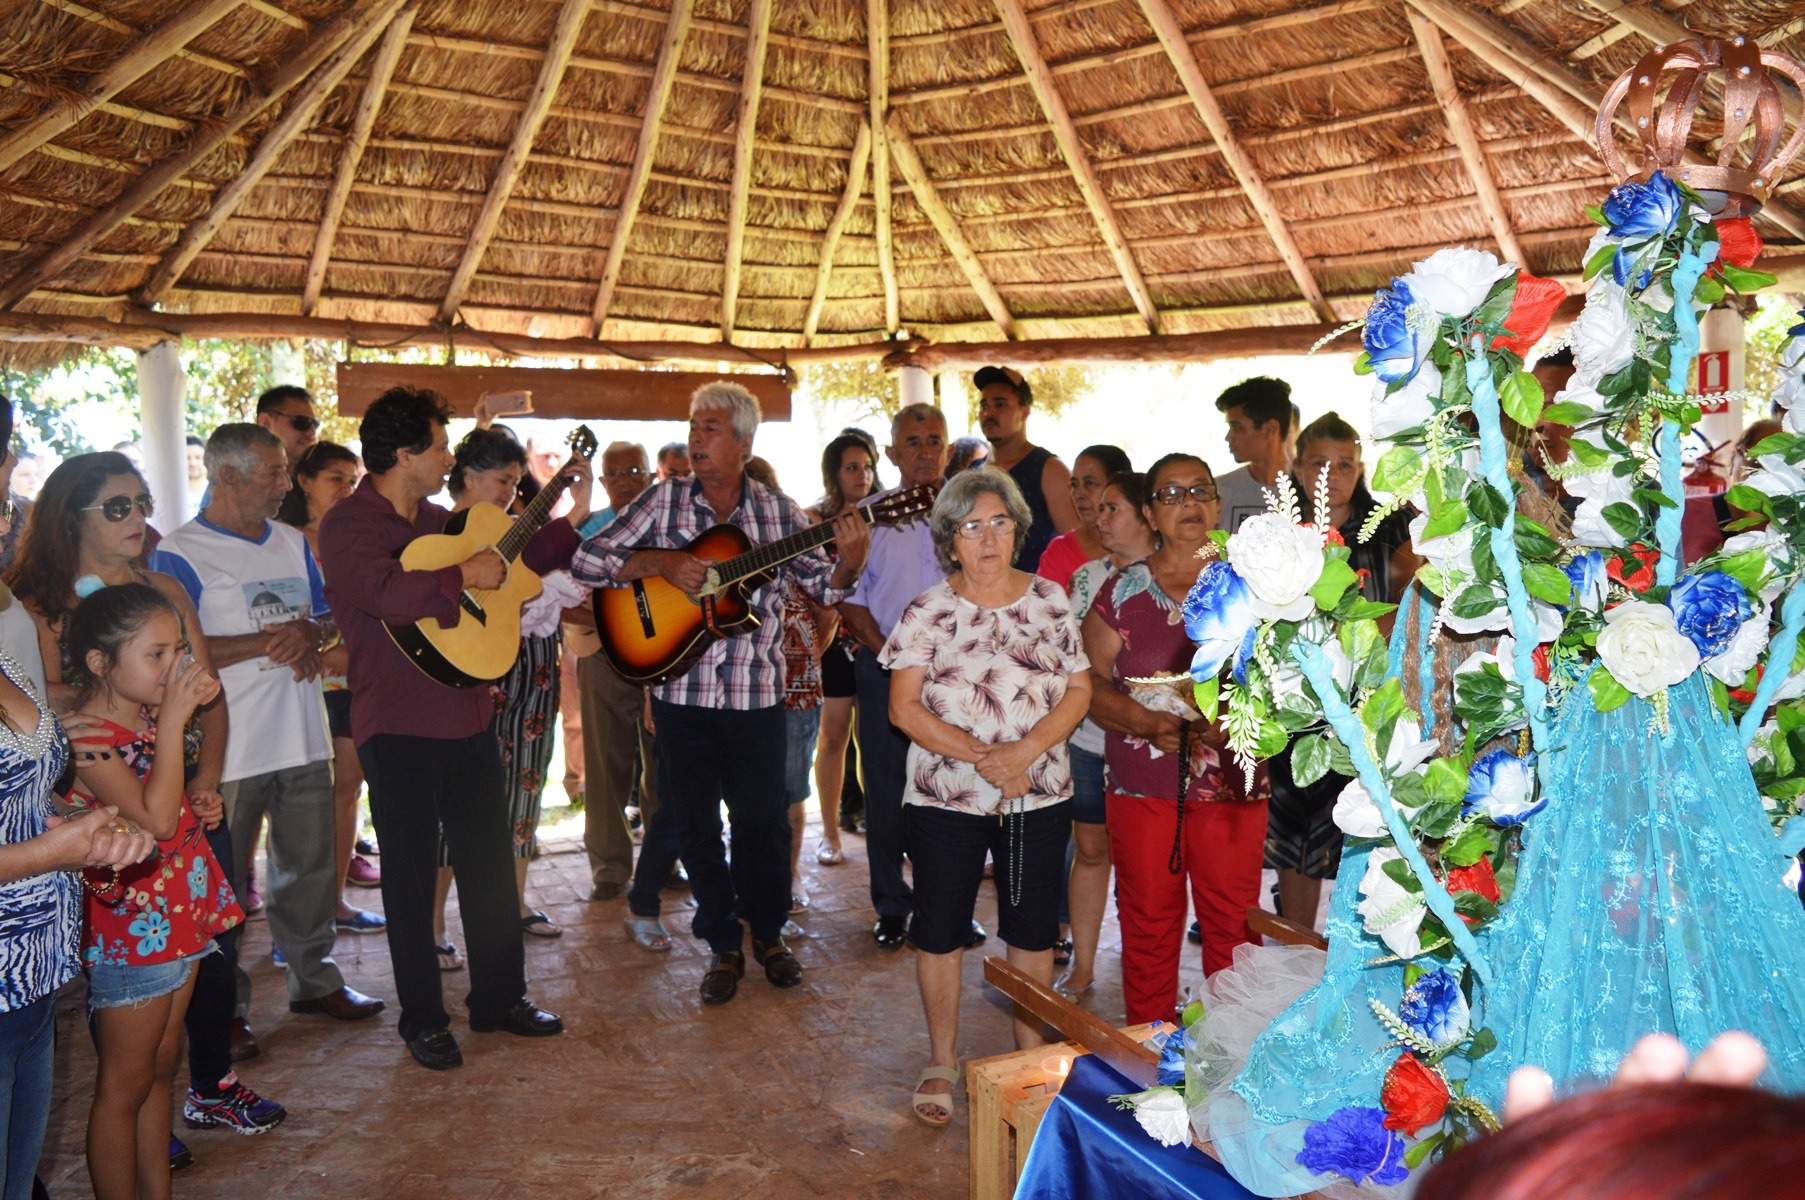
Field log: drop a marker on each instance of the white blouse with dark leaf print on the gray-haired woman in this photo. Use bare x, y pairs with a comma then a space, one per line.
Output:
994, 674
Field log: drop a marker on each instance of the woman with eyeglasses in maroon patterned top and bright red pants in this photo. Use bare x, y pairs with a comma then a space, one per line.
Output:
1180, 815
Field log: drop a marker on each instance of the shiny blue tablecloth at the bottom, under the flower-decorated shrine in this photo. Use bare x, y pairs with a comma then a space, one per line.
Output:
1091, 1150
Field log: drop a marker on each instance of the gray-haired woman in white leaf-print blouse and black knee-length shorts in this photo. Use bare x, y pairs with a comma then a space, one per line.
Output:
988, 681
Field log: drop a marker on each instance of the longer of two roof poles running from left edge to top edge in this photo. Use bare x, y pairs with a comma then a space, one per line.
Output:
24, 277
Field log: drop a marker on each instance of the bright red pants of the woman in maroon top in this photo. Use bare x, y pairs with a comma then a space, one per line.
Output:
1225, 844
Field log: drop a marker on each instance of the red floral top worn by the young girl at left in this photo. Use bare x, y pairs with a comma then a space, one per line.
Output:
171, 905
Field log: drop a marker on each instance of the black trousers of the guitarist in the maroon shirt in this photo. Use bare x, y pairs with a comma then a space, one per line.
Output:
420, 788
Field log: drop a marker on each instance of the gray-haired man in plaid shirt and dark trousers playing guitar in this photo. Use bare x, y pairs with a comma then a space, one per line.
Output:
721, 725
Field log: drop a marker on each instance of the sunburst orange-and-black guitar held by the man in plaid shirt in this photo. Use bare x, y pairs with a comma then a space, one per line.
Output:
653, 631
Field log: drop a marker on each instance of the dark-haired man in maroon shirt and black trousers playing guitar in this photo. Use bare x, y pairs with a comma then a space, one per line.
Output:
429, 752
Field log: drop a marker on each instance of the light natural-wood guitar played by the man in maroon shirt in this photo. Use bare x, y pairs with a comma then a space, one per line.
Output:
485, 643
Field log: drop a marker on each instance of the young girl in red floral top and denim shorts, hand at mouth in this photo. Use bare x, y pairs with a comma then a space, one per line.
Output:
147, 925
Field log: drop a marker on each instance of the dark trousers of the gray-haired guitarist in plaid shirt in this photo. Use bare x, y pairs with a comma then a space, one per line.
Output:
707, 757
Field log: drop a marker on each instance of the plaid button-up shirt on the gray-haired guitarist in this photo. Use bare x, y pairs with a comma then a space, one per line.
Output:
746, 670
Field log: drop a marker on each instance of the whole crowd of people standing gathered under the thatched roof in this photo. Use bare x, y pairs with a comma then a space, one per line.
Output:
165, 701
